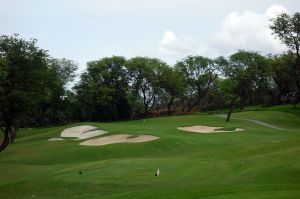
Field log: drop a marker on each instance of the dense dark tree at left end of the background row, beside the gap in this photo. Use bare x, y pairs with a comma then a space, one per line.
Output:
102, 90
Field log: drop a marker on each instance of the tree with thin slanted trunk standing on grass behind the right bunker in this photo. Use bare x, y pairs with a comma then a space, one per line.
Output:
248, 72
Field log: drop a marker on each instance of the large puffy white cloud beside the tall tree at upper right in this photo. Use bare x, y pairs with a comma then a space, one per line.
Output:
248, 30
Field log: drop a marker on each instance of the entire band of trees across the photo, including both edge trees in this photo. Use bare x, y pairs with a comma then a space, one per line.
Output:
34, 87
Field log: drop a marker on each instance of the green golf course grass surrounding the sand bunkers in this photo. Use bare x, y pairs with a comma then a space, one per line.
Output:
258, 162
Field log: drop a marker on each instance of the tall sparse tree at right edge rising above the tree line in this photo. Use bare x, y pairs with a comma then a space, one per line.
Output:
287, 28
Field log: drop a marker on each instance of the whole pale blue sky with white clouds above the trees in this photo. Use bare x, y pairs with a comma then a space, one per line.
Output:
86, 30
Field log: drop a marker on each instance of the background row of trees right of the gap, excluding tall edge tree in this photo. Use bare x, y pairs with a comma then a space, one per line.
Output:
114, 88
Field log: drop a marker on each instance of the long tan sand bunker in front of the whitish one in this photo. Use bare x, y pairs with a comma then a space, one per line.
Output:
120, 138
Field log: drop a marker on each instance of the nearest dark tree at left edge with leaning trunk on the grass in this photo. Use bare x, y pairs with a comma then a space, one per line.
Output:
23, 69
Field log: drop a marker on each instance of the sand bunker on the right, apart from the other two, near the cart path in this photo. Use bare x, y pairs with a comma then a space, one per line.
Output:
205, 129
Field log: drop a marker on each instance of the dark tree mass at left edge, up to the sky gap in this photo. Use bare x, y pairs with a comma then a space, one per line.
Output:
30, 84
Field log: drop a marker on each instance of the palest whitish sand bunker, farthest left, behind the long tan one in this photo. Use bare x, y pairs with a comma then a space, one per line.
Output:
82, 132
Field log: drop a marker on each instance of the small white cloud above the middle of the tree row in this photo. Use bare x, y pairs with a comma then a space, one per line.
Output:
174, 46
